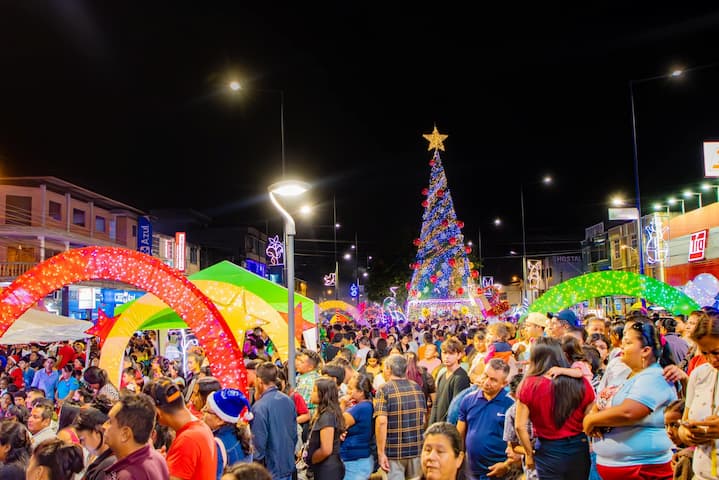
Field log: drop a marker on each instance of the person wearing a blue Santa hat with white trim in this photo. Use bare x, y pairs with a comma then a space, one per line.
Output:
222, 412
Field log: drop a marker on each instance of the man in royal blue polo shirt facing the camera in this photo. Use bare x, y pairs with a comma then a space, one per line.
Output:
481, 424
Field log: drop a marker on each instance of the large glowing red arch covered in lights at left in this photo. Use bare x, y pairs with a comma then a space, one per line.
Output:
145, 272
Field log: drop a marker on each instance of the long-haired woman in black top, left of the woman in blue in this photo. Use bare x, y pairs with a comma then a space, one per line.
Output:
323, 448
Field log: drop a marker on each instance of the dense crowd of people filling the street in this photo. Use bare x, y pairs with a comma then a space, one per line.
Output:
555, 396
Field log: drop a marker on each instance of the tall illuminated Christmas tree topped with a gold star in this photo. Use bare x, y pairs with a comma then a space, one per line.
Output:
443, 277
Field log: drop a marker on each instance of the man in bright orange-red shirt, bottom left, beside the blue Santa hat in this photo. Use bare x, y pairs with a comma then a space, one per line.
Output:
193, 453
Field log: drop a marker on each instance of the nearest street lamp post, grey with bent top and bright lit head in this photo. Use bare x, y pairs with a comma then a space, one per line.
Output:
289, 188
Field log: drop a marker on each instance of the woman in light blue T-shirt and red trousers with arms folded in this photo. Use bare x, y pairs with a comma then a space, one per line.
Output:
628, 418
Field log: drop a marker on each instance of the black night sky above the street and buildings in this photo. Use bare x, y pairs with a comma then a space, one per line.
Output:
130, 99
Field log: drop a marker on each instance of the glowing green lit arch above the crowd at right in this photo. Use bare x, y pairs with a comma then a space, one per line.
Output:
610, 282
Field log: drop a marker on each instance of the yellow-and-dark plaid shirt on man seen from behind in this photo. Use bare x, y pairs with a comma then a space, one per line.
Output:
404, 405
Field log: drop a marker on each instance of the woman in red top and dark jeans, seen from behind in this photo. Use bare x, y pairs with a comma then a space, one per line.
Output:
556, 406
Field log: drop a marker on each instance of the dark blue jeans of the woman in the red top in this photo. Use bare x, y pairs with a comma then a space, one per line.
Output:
563, 459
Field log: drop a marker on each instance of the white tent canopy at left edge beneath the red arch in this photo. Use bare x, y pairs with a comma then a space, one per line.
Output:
38, 326
